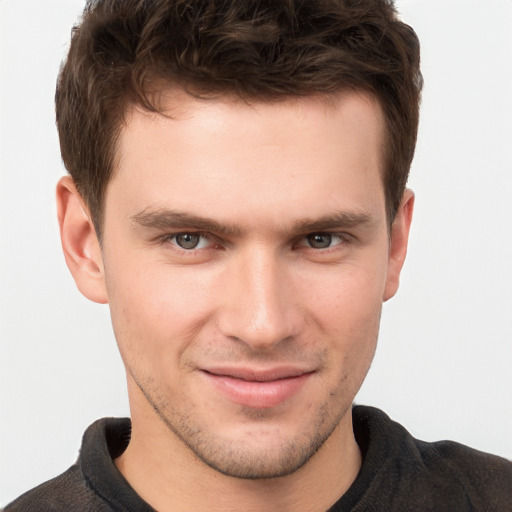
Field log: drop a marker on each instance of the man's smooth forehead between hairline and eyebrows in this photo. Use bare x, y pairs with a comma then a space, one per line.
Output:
222, 157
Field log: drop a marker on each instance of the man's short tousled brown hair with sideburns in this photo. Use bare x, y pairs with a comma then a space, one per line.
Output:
256, 49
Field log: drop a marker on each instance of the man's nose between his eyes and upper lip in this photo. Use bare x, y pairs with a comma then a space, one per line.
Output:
260, 305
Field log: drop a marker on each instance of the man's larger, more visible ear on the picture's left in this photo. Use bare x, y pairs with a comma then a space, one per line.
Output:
80, 244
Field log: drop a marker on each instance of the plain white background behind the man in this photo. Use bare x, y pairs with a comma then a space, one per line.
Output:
443, 366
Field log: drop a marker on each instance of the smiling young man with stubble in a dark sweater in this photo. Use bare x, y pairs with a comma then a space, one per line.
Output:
237, 196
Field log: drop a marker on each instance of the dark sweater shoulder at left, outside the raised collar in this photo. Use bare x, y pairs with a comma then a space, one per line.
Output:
65, 492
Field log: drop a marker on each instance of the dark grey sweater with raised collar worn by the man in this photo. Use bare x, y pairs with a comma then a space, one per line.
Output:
399, 473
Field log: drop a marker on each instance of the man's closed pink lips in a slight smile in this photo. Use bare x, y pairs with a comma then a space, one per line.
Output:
258, 389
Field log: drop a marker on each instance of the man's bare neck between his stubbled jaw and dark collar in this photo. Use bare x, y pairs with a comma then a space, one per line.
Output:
168, 475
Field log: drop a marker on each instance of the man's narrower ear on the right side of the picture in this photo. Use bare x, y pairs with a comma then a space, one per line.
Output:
399, 238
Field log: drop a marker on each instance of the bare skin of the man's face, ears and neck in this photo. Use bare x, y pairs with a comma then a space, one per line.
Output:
293, 261
